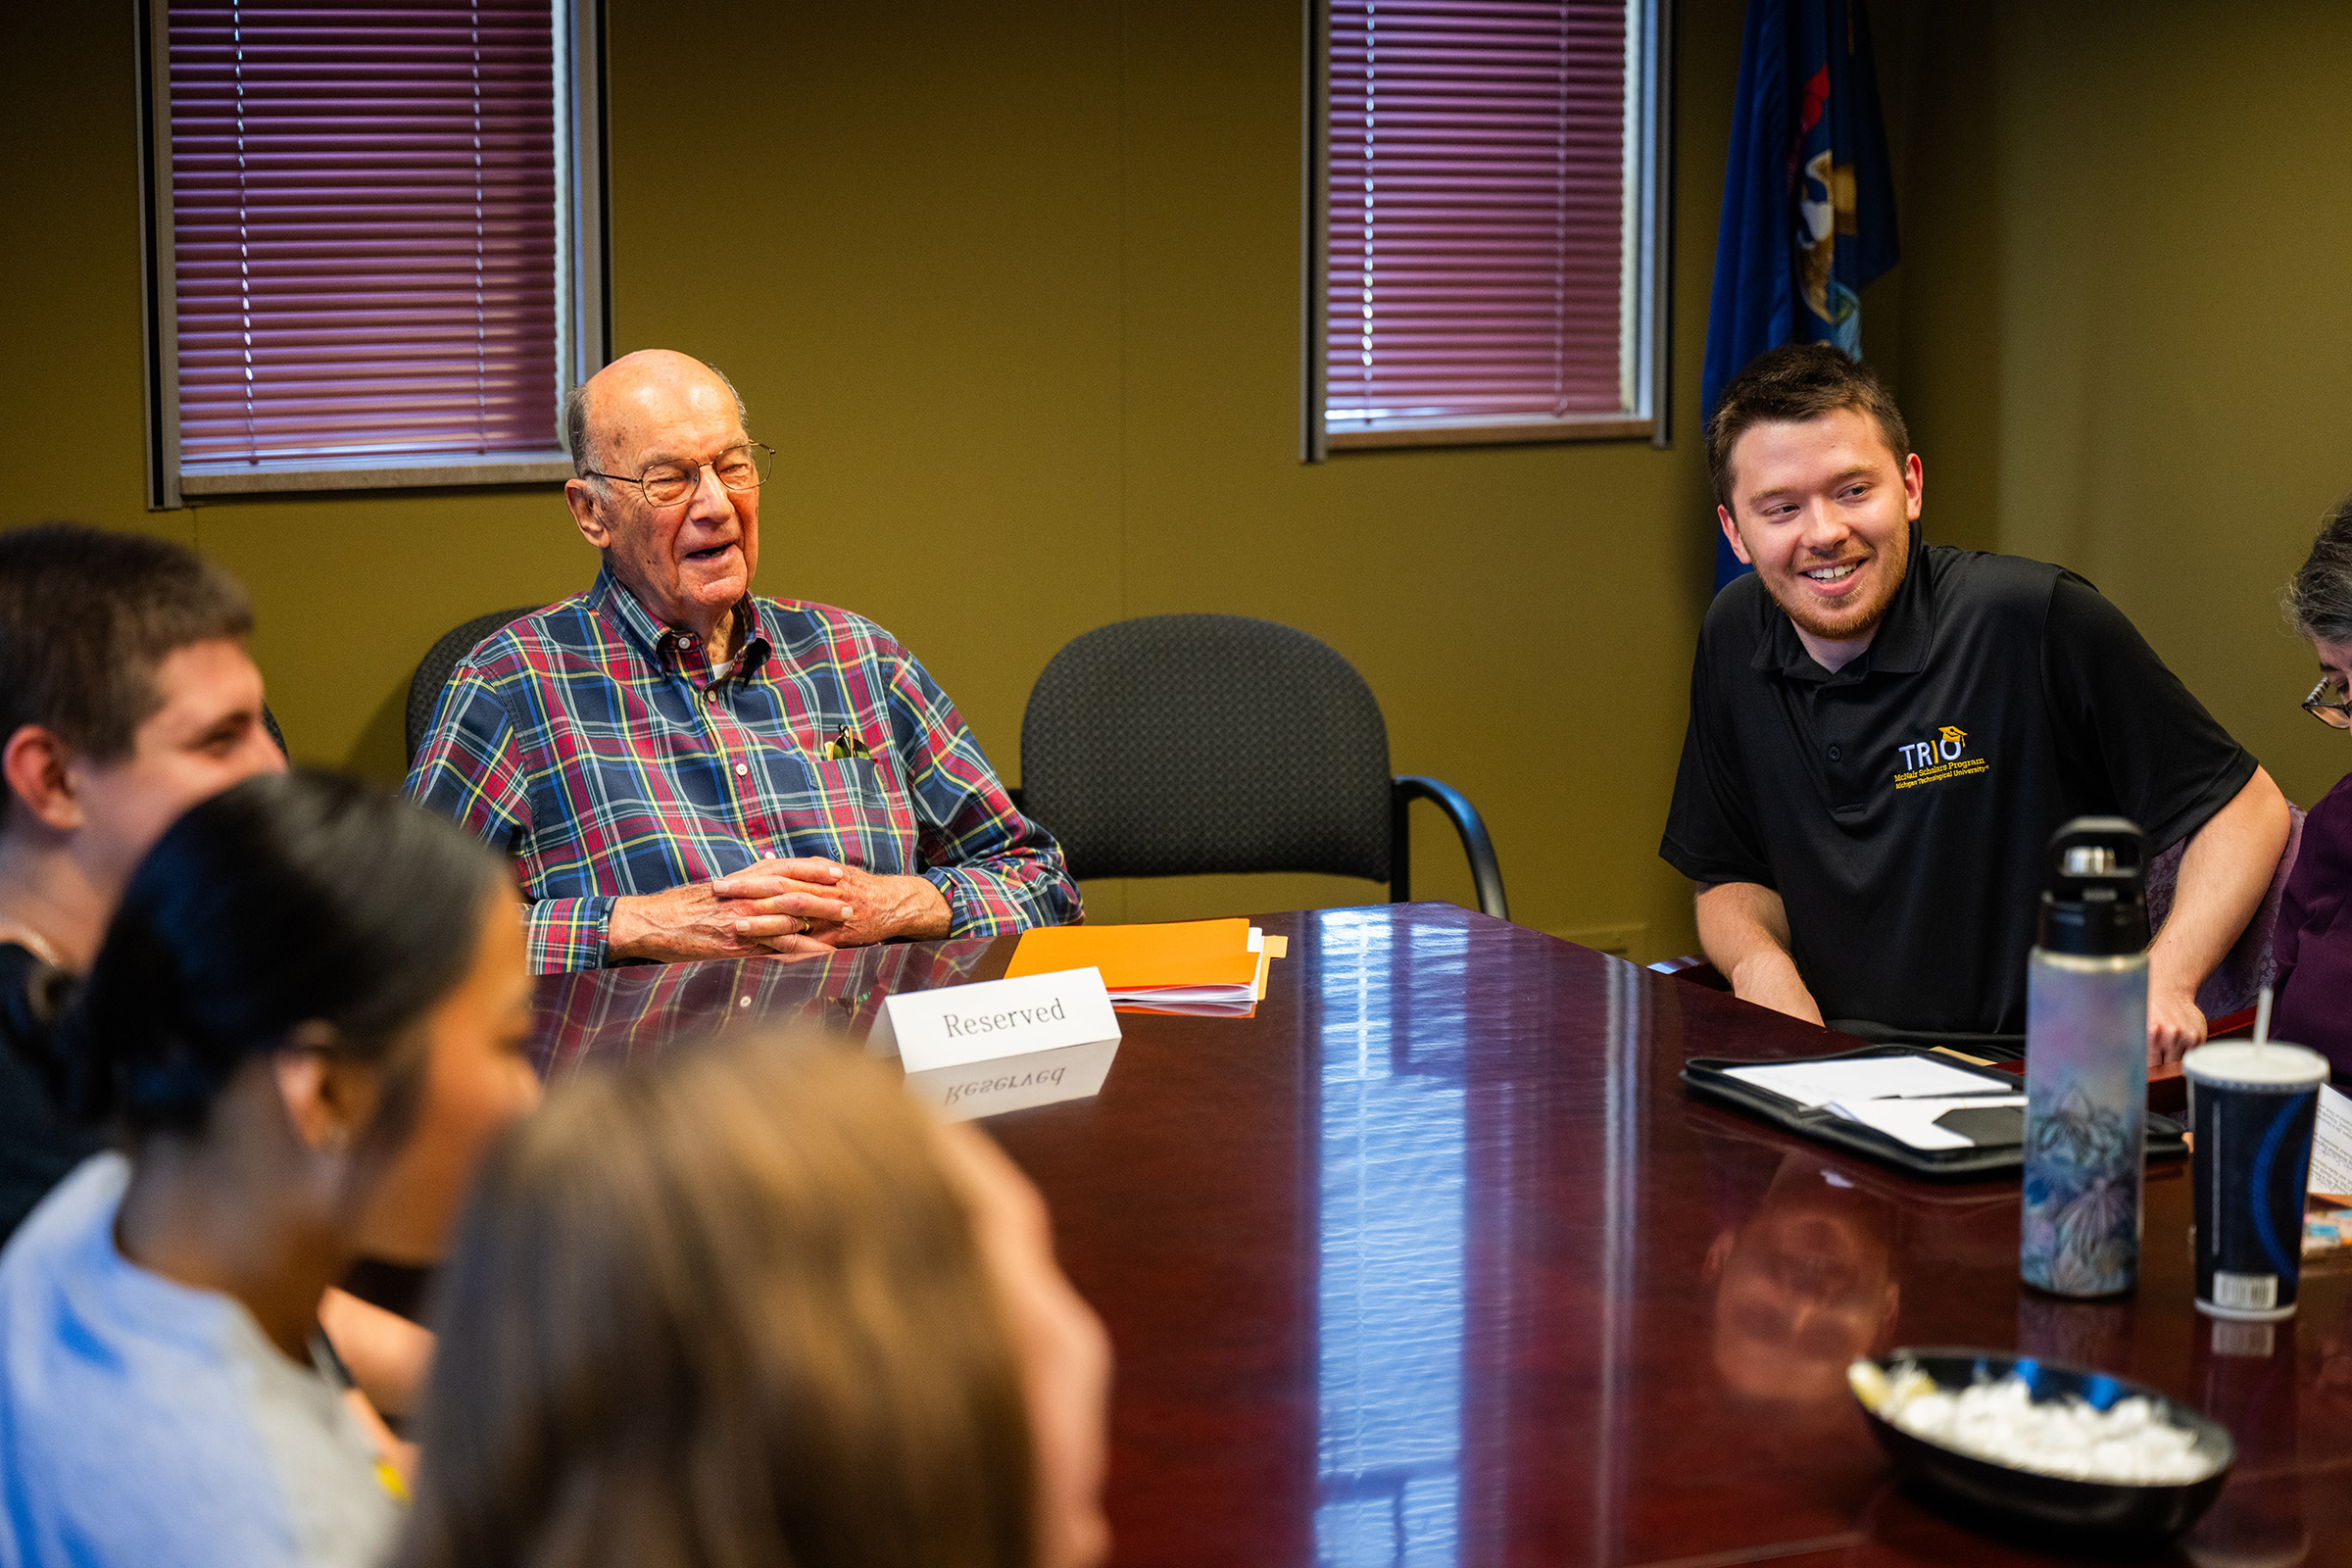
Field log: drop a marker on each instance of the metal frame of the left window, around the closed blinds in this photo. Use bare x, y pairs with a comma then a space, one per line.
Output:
582, 279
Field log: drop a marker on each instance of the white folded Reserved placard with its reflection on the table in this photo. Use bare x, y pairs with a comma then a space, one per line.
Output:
1003, 1045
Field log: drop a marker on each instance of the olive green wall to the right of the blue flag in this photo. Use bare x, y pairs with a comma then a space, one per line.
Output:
2127, 316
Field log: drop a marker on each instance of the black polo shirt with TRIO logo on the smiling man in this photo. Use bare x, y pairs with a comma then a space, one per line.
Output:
1904, 805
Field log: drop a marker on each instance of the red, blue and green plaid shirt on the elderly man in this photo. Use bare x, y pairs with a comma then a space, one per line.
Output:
592, 744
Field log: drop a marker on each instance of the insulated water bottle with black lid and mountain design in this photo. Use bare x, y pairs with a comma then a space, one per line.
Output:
2087, 1064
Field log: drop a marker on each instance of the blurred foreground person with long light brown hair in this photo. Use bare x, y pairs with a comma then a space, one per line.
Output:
754, 1306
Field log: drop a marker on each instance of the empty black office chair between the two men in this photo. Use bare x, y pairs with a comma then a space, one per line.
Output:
1177, 746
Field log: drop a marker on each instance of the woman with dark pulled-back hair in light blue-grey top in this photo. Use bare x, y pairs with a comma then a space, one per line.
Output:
305, 1024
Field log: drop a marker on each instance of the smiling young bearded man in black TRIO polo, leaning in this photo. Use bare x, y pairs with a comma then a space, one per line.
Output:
1885, 735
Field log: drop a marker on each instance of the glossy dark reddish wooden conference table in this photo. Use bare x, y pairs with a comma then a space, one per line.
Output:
1436, 1264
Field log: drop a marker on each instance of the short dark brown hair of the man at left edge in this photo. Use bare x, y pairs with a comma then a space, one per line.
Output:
88, 615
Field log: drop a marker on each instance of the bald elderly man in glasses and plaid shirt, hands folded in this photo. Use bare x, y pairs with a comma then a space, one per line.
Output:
683, 770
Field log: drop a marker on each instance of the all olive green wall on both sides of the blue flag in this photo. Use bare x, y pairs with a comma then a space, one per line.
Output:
1015, 290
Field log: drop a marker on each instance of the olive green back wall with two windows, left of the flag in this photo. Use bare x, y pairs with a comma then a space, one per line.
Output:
1015, 290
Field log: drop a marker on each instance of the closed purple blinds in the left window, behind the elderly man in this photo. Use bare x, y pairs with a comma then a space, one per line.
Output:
363, 220
